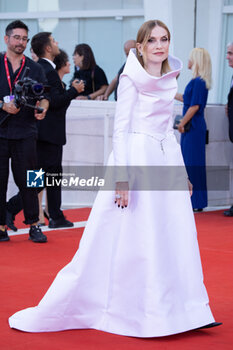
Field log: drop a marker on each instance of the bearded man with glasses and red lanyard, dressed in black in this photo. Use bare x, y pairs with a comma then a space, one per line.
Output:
18, 130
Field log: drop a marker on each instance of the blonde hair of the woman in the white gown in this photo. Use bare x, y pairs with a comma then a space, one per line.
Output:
143, 37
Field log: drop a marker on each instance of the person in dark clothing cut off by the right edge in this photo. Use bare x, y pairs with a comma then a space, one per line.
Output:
229, 109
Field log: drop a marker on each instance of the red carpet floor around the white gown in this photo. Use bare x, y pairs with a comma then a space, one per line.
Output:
27, 269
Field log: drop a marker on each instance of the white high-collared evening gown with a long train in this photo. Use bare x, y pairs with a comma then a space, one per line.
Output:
137, 271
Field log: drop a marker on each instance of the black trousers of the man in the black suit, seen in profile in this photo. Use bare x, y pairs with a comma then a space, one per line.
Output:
50, 160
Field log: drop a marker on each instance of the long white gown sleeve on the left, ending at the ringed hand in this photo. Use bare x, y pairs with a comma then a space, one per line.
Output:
127, 96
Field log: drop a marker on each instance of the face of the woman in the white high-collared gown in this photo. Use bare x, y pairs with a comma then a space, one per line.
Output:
157, 48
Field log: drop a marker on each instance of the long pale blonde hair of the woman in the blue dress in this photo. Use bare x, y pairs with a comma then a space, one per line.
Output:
201, 65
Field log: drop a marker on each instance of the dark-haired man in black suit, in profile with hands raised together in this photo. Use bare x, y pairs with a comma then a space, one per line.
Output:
52, 131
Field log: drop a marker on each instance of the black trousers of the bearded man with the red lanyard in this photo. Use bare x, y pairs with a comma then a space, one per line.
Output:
23, 157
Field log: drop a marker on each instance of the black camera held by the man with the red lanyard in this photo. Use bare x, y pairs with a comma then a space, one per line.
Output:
28, 90
